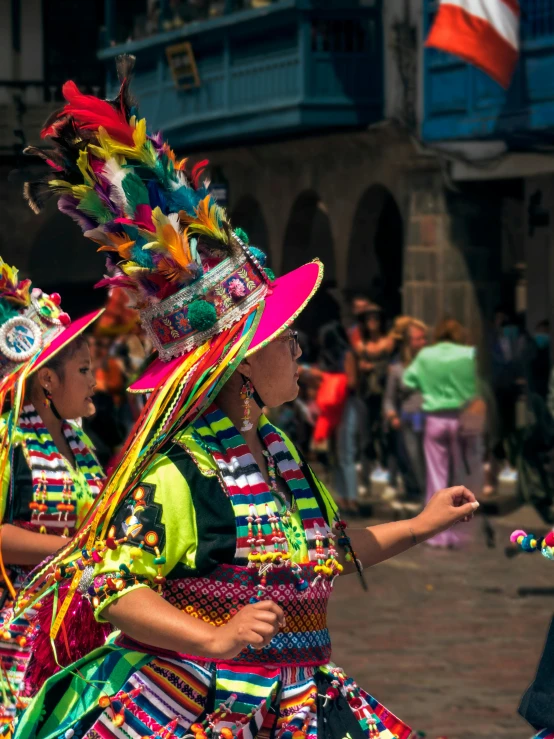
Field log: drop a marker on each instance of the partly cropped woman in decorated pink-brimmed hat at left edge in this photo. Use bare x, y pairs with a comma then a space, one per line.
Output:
49, 474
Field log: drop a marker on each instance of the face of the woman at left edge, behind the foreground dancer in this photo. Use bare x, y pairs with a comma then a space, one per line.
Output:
72, 389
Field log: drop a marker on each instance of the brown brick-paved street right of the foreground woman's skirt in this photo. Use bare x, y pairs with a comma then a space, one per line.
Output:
443, 639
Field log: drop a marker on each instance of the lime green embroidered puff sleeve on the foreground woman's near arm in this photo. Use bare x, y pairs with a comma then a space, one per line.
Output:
155, 527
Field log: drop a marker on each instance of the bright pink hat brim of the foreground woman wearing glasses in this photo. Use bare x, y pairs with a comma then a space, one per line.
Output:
290, 295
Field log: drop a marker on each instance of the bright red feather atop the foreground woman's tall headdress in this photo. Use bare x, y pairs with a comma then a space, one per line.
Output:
90, 113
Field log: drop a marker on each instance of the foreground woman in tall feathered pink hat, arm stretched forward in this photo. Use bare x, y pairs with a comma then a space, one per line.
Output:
213, 547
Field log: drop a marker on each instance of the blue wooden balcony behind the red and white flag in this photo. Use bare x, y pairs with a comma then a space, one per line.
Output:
462, 102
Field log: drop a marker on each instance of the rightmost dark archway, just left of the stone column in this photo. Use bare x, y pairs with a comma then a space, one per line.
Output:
376, 250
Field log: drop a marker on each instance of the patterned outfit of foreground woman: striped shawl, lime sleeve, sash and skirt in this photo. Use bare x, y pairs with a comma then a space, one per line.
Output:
289, 687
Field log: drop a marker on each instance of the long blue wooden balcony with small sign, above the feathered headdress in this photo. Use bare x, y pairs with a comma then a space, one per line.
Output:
292, 66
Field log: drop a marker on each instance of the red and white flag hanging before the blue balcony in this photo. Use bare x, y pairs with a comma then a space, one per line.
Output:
482, 32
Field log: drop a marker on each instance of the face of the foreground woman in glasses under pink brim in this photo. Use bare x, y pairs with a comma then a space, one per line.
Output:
273, 370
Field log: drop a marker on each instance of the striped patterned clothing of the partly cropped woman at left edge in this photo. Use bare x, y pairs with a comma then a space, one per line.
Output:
53, 481
